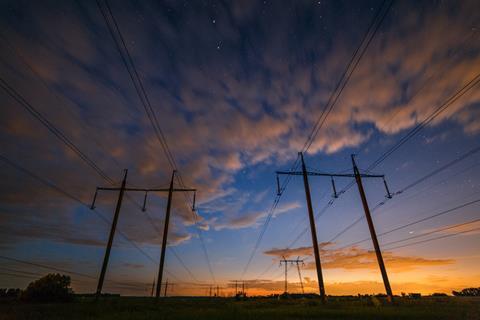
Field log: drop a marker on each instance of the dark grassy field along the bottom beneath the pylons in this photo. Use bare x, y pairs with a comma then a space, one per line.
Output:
261, 308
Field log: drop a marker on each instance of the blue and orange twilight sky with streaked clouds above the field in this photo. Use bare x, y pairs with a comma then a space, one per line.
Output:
236, 87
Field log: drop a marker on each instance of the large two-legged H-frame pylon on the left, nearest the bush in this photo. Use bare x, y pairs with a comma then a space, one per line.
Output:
122, 190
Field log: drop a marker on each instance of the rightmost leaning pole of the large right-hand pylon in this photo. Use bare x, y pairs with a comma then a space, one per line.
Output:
371, 227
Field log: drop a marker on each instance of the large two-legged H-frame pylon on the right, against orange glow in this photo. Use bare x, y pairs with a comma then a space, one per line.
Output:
358, 177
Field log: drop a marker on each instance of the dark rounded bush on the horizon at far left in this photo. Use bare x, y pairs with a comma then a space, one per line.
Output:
50, 288
